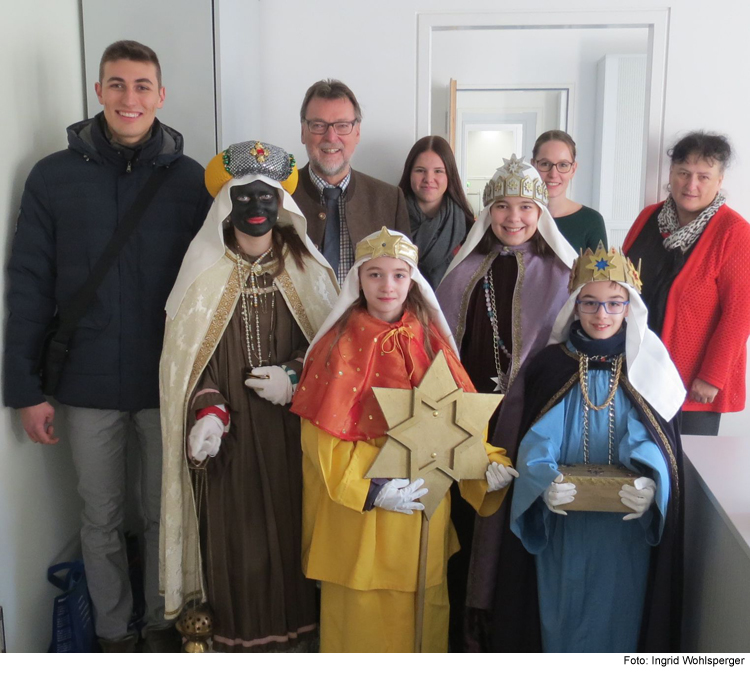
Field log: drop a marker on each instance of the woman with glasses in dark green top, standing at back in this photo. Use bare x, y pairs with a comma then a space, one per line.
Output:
554, 156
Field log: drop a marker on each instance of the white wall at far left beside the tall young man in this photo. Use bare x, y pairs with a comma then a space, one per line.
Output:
41, 76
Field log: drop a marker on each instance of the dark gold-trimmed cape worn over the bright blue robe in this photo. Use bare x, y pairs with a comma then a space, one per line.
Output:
515, 614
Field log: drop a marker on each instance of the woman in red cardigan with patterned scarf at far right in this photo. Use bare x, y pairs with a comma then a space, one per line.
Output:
696, 256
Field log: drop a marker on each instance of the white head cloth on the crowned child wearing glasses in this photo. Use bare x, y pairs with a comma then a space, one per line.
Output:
650, 368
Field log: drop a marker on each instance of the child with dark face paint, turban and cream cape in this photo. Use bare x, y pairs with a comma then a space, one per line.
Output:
251, 293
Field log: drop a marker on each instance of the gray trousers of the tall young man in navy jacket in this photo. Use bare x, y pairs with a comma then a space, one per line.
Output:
98, 439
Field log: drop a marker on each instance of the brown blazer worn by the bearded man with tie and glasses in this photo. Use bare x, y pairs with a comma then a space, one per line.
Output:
370, 205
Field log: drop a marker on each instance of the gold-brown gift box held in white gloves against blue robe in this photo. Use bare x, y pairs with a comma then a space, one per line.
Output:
598, 487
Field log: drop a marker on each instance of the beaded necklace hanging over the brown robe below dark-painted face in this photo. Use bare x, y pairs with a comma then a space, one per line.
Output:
254, 299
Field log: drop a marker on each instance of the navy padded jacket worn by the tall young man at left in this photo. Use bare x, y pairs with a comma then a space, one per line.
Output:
71, 205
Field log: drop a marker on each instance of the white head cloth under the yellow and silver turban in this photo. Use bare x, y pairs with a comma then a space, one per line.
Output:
207, 247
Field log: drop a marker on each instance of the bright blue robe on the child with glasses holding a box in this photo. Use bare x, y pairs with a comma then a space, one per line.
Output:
592, 568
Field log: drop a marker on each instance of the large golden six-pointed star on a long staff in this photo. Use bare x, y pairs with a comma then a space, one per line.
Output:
436, 432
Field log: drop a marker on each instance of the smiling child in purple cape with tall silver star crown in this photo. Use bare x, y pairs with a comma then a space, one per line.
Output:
501, 295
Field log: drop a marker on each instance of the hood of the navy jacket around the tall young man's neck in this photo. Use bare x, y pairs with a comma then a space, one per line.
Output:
88, 139
